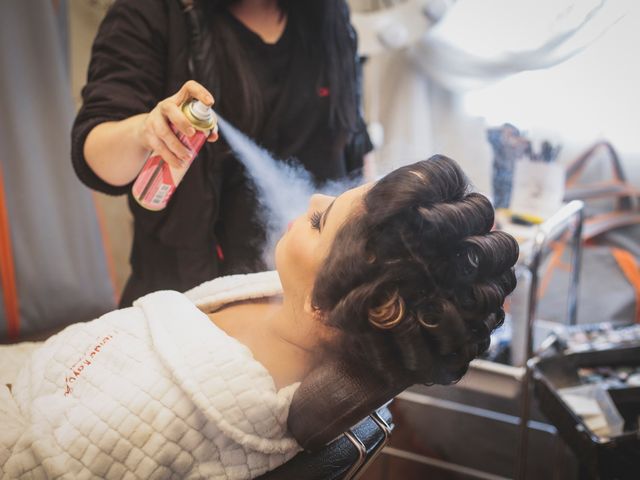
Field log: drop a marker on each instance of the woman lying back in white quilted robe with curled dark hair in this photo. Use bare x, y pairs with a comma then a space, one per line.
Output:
401, 279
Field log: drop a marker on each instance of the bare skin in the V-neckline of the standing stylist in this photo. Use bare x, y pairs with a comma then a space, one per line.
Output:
263, 17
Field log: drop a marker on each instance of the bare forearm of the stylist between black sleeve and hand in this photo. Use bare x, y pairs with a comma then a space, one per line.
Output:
114, 150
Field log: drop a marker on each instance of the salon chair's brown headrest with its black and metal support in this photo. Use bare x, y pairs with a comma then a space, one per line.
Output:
341, 420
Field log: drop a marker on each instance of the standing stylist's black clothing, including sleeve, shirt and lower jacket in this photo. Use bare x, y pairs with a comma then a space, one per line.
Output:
139, 57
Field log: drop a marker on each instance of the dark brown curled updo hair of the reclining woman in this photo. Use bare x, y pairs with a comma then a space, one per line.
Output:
415, 282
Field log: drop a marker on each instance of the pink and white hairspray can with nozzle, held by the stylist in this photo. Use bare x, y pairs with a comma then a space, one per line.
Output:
157, 180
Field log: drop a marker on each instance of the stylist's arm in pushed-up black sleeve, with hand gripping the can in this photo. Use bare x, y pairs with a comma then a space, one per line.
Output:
124, 115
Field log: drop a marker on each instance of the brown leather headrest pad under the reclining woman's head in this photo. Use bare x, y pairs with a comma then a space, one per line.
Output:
332, 399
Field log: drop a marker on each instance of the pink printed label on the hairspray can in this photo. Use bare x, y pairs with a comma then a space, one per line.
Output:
158, 180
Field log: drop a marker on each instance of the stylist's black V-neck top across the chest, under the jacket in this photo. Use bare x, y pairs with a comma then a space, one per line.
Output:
295, 123
